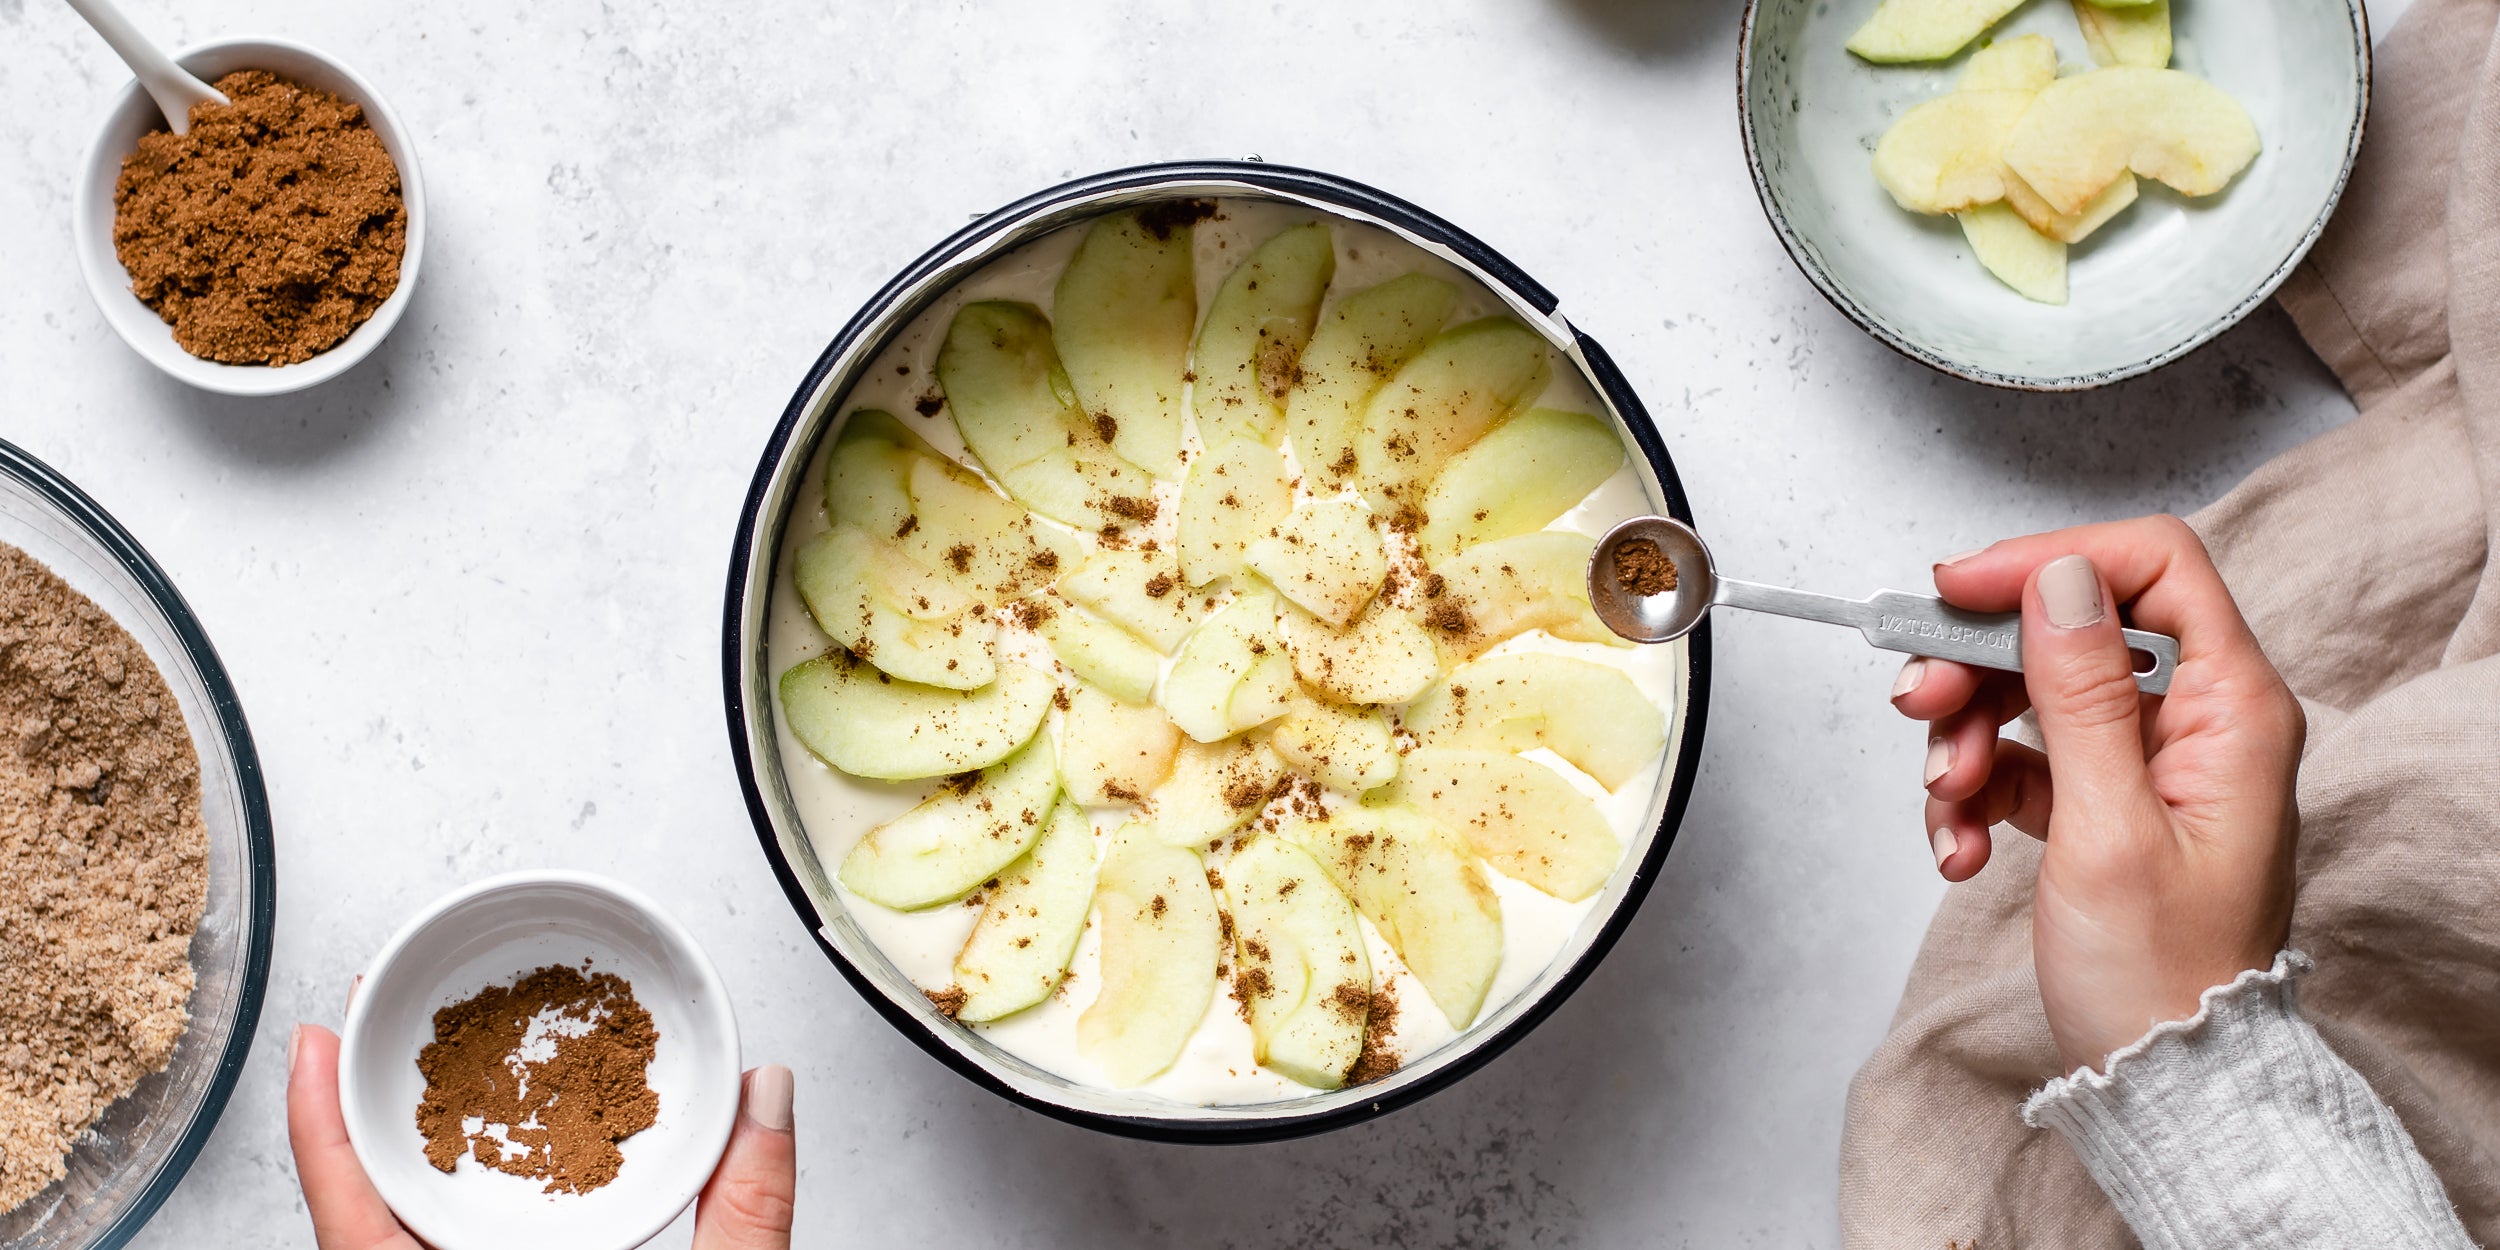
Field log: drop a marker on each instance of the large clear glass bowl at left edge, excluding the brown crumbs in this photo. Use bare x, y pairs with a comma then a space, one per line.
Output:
139, 1151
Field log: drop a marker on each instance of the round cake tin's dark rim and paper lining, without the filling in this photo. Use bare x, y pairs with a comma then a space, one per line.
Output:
884, 316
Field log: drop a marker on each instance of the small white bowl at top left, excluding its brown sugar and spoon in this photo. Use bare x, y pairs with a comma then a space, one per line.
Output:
134, 114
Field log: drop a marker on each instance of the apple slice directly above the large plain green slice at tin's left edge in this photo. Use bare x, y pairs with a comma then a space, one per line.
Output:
896, 614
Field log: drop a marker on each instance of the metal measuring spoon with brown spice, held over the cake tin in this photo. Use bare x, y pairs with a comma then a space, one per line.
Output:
1891, 619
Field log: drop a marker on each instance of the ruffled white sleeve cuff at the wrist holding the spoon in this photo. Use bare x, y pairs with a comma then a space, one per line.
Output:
2241, 1129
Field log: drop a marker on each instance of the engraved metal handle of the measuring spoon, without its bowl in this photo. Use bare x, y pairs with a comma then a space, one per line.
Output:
1931, 626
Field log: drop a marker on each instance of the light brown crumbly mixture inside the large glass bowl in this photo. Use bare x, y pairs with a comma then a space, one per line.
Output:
104, 871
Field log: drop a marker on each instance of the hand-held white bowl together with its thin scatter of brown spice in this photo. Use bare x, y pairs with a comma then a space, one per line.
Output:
541, 1059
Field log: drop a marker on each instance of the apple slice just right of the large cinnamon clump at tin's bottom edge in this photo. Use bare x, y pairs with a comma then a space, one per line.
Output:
1424, 891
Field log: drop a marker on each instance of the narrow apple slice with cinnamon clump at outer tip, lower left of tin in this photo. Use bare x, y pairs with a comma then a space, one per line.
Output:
1029, 931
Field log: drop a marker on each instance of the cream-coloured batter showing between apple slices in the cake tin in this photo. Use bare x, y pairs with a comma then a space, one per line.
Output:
836, 809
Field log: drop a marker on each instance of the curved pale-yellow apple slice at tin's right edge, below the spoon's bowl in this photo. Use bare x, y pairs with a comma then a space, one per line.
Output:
1586, 714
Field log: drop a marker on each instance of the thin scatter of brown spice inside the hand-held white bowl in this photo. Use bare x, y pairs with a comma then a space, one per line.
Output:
554, 1066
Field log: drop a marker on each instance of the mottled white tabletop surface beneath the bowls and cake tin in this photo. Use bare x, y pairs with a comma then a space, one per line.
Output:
471, 594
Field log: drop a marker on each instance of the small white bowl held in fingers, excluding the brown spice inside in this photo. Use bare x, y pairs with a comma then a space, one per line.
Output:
491, 934
